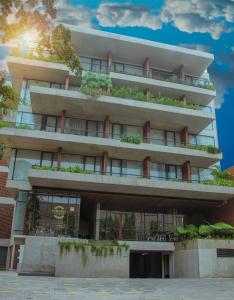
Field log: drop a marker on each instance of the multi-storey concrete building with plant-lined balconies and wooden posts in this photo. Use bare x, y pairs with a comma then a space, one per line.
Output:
132, 192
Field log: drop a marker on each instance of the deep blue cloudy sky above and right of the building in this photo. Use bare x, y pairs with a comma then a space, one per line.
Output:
200, 24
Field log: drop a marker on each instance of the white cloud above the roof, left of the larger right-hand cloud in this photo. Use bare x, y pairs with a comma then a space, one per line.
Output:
123, 15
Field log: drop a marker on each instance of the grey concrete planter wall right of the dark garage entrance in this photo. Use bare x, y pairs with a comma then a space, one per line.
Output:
198, 258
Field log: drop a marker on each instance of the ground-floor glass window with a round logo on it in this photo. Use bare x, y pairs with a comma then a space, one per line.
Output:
53, 215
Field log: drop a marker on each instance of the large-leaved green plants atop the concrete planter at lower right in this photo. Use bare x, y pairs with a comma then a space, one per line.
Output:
215, 231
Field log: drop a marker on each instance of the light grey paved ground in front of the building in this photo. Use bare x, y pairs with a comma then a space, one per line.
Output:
48, 288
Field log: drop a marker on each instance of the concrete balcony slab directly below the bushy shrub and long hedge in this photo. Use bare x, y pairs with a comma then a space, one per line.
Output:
52, 101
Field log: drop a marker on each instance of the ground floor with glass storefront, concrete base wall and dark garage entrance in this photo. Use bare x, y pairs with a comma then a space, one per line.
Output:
87, 220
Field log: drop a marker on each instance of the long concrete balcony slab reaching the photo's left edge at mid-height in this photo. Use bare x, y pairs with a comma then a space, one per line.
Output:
26, 138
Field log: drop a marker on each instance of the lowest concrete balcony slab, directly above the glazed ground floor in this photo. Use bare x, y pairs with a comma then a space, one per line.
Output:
128, 184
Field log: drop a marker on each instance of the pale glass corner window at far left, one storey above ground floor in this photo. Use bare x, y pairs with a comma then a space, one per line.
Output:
25, 159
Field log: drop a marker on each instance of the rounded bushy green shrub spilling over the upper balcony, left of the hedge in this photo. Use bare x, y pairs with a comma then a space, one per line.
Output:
95, 84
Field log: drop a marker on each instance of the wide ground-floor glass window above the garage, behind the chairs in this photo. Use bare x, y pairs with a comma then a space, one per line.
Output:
138, 225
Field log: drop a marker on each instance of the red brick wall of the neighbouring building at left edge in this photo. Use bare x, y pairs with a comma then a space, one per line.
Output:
6, 210
